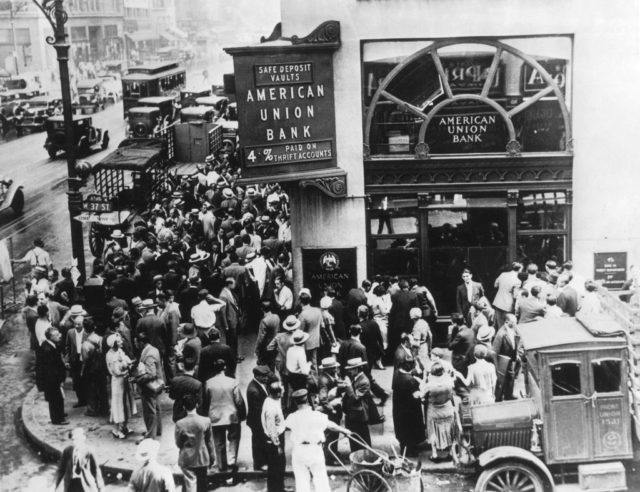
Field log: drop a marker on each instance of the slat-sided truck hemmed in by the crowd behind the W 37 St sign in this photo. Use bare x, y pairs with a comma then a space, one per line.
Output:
126, 181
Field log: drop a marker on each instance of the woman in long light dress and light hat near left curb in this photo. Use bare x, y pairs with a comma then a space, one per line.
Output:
122, 403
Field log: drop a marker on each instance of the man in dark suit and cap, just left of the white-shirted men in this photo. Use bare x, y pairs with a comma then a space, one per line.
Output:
256, 395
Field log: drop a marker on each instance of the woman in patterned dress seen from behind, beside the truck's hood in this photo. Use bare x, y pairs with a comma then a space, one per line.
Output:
441, 413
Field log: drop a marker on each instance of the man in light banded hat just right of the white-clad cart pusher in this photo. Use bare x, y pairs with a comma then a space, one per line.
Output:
330, 391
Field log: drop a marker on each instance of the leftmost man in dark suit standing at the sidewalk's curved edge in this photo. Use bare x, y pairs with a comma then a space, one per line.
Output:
53, 375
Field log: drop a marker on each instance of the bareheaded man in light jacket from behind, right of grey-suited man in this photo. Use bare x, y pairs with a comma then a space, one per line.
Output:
226, 409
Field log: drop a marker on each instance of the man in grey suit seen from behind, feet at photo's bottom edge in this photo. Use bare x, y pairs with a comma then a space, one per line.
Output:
194, 441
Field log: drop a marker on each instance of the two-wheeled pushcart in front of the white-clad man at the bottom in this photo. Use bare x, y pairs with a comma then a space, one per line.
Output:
373, 470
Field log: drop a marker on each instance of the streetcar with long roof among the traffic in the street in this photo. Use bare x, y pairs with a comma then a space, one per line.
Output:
152, 80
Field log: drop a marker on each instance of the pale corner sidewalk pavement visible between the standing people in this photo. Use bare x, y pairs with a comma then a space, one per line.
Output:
117, 456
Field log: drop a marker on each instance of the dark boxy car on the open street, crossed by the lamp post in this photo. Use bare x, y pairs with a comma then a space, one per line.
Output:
86, 135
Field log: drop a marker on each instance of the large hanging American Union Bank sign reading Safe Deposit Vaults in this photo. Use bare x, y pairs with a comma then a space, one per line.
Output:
286, 114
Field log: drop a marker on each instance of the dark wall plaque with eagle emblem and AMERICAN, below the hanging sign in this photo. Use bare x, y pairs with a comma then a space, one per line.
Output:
335, 267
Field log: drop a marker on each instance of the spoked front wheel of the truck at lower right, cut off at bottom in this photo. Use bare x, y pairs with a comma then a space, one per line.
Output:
510, 477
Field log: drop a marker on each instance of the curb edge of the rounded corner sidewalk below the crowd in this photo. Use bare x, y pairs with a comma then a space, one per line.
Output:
28, 423
